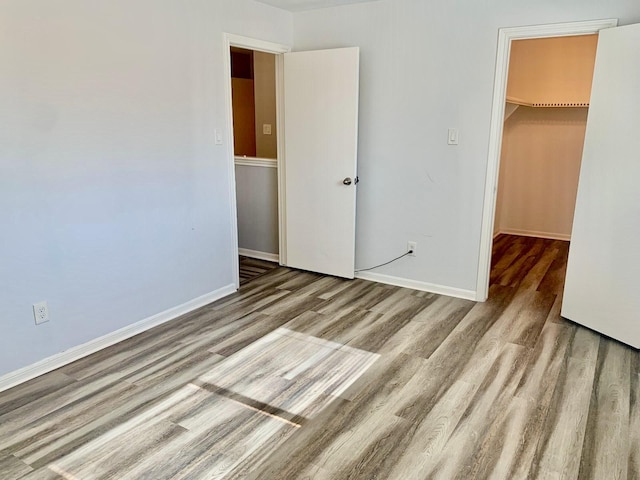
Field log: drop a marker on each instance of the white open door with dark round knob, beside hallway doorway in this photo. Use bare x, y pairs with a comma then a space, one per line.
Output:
320, 145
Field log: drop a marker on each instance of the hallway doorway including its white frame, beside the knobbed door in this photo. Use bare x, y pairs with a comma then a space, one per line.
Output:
255, 181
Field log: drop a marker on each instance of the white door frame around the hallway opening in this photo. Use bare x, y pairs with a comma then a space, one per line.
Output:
232, 40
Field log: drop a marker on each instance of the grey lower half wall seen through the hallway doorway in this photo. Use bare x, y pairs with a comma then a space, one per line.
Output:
257, 196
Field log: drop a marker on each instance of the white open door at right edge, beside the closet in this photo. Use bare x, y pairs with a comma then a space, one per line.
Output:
601, 287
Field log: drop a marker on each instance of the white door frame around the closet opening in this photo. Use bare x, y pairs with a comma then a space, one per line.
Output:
505, 36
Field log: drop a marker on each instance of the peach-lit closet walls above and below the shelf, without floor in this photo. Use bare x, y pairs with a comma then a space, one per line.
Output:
542, 143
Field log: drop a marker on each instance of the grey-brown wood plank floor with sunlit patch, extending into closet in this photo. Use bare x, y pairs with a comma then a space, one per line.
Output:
302, 376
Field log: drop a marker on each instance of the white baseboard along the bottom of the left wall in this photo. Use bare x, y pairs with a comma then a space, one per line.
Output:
61, 359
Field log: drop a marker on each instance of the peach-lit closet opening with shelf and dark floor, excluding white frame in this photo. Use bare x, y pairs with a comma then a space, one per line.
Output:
548, 91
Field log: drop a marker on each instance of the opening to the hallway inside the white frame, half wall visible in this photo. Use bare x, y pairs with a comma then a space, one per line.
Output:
255, 132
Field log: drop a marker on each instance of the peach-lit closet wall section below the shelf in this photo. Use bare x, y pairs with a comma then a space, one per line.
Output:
539, 170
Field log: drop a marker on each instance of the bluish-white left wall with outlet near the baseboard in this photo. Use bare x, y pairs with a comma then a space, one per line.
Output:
114, 201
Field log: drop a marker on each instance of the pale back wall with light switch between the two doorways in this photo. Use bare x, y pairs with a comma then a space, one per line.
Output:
427, 66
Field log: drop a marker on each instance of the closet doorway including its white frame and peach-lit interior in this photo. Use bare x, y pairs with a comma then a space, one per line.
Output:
541, 98
